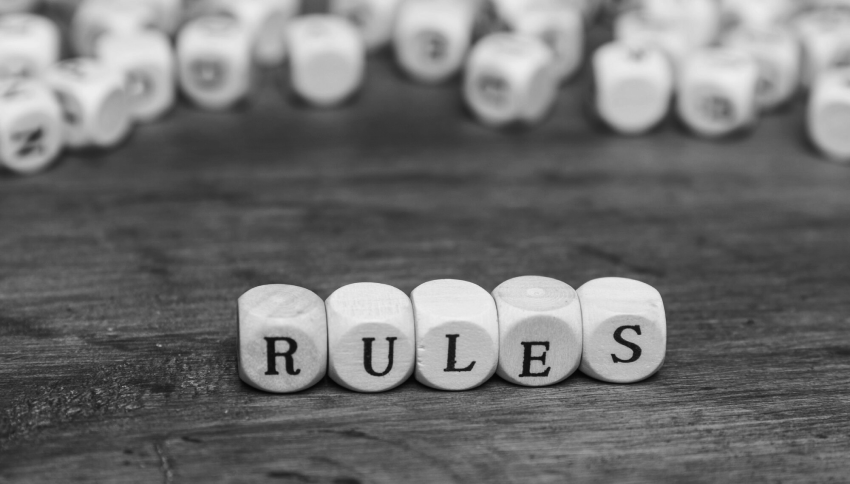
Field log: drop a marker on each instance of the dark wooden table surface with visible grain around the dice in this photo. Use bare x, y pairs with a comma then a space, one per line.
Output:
119, 273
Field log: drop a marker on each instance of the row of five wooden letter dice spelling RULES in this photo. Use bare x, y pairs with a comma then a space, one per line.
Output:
450, 334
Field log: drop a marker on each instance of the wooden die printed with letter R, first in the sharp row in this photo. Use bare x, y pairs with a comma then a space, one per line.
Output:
283, 338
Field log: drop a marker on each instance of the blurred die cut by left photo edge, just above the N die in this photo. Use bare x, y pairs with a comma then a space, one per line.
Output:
29, 44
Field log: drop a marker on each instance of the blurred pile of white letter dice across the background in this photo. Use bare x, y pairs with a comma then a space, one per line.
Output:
720, 62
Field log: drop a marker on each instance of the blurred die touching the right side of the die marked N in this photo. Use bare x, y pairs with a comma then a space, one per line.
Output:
94, 105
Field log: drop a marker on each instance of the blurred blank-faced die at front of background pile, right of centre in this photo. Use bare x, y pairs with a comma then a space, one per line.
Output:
634, 87
